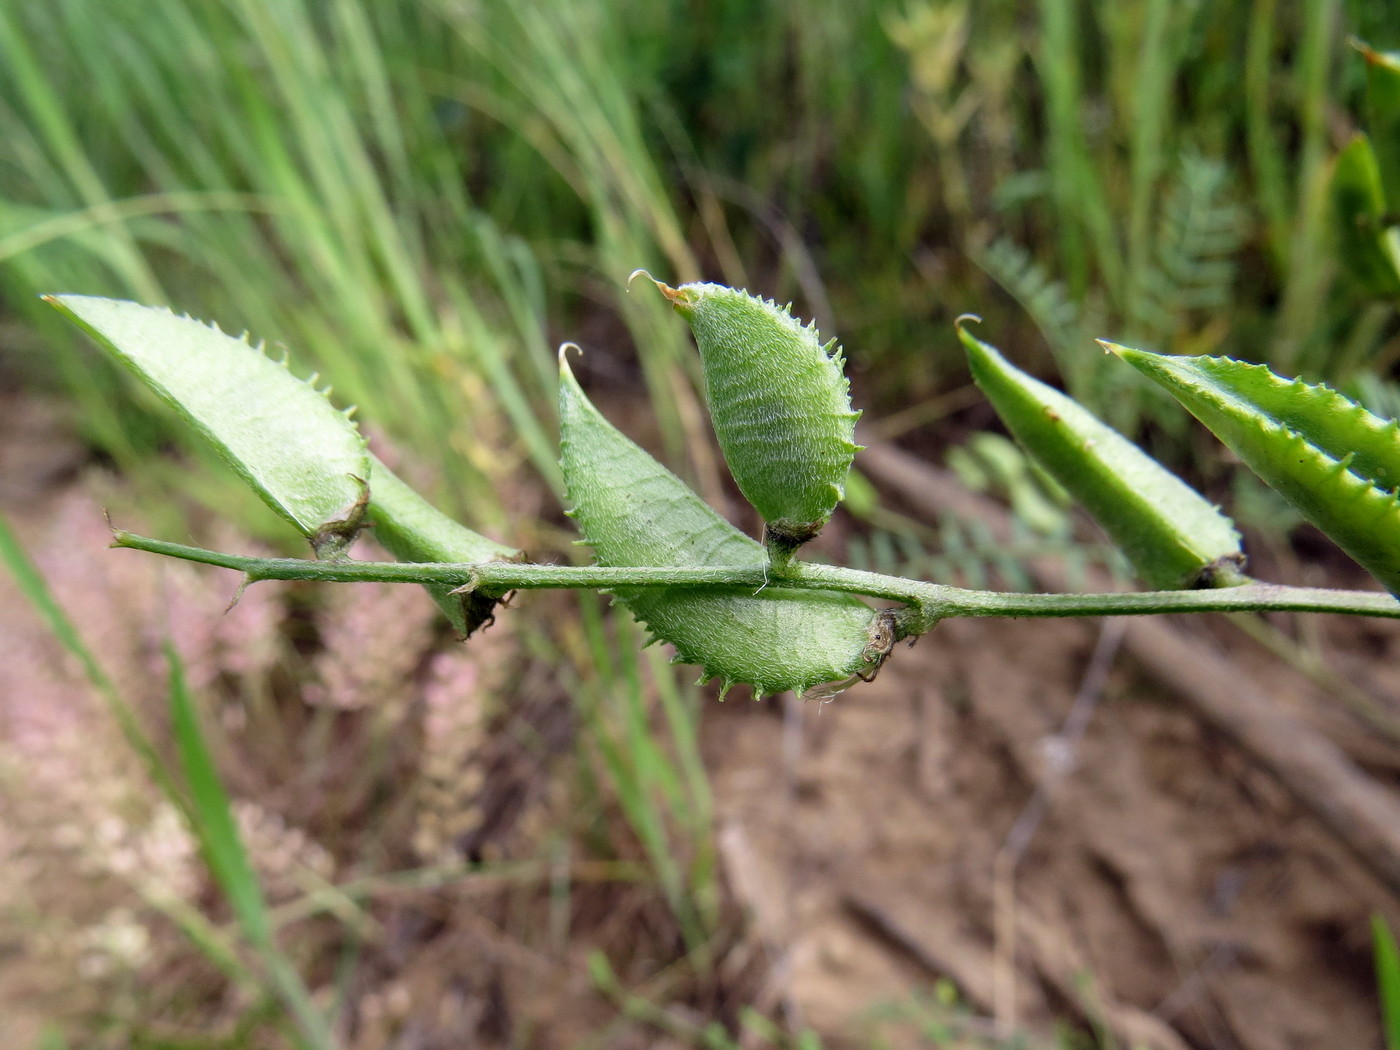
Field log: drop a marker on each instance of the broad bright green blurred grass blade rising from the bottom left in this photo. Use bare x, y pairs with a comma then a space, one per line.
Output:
213, 824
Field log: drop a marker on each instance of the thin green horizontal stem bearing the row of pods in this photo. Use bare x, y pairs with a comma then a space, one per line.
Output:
927, 603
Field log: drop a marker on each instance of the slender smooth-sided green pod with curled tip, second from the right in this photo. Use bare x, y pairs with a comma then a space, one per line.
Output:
1171, 533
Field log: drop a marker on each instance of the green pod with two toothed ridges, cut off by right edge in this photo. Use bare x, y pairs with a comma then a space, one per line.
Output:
1335, 461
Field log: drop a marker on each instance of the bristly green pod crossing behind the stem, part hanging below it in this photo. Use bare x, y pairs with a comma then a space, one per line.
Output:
636, 513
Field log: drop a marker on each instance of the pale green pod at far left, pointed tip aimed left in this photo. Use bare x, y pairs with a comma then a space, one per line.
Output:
302, 454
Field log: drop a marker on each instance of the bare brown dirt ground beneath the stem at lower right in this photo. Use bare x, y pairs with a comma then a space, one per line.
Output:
1203, 902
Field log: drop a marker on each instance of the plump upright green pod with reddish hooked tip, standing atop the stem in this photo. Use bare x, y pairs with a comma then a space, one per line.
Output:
780, 405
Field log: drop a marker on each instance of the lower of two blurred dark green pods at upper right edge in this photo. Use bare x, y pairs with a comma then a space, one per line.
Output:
1368, 247
